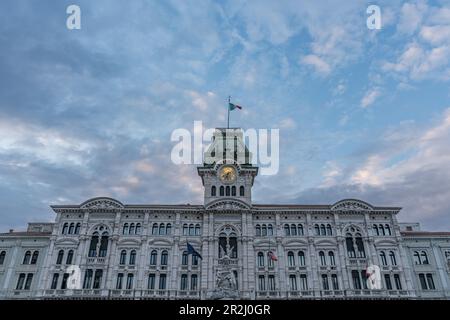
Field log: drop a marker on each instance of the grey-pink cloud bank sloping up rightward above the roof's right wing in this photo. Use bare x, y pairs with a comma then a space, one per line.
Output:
410, 167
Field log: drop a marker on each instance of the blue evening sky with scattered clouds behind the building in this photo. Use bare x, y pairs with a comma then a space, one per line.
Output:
362, 113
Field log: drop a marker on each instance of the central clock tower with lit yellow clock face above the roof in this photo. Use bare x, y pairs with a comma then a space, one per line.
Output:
227, 172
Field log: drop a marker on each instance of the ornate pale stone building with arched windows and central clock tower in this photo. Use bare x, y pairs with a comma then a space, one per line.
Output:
103, 248
